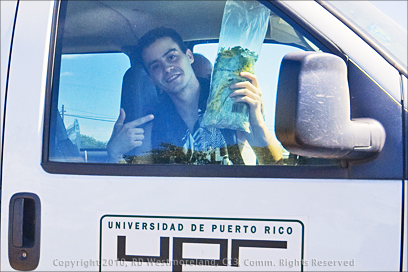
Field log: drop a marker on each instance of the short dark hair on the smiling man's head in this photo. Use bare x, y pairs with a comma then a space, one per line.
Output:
153, 35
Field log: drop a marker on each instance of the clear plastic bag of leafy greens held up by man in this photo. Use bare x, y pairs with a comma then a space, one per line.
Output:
243, 31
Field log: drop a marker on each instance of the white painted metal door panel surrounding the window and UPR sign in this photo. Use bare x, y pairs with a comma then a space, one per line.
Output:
344, 220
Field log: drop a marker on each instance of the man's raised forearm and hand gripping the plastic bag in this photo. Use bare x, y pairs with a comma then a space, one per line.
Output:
264, 144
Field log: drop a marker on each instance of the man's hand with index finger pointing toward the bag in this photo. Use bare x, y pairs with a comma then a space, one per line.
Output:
127, 136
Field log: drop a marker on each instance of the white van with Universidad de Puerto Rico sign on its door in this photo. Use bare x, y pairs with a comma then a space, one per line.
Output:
334, 87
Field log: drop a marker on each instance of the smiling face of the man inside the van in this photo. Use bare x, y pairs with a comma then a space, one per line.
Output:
168, 66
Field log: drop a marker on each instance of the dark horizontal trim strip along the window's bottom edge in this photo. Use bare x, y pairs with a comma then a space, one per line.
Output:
210, 171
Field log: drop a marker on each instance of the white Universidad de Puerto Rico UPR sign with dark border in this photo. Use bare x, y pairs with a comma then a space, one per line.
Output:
165, 243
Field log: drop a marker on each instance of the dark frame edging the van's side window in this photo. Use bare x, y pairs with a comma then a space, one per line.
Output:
176, 170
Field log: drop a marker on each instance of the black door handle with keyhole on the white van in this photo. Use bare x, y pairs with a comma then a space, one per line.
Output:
24, 231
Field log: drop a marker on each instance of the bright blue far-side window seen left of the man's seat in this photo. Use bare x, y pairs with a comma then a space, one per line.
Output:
89, 101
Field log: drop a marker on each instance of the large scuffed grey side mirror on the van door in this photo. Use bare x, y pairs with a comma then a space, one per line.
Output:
313, 110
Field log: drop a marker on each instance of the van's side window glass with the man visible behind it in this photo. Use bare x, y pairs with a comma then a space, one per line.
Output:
102, 87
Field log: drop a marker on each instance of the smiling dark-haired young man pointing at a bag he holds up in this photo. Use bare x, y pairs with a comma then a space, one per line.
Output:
176, 134
